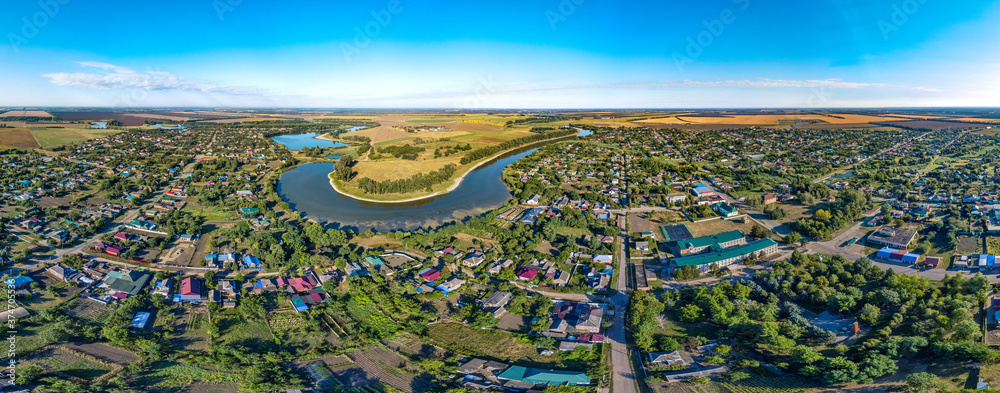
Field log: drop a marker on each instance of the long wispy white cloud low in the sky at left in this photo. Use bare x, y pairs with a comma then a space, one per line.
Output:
112, 77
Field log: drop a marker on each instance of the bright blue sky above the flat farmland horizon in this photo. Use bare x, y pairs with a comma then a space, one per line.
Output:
513, 54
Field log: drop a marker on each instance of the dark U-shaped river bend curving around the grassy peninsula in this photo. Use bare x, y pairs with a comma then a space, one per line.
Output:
306, 189
